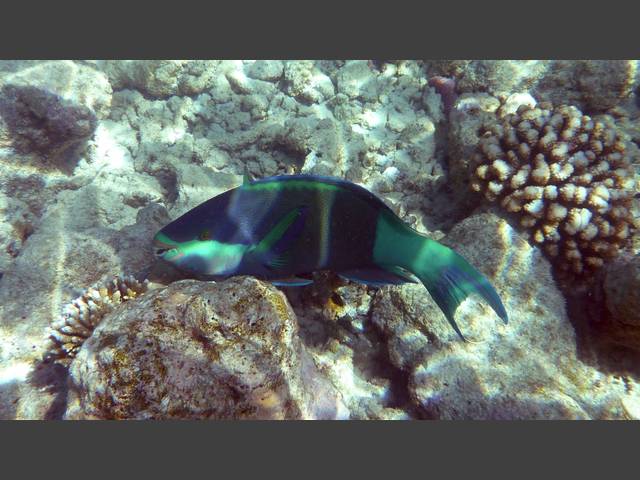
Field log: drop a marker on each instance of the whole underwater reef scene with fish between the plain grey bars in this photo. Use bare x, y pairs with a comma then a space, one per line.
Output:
322, 239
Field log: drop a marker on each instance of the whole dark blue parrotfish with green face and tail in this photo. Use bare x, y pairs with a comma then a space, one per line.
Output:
285, 227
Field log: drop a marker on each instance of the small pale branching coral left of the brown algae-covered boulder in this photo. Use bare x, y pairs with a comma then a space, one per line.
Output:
80, 317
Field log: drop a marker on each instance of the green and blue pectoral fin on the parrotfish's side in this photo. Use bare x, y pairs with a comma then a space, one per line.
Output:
274, 248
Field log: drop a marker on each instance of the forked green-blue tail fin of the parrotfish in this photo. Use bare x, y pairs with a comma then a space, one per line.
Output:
450, 279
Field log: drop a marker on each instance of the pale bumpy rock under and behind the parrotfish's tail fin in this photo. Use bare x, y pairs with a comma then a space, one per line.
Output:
526, 369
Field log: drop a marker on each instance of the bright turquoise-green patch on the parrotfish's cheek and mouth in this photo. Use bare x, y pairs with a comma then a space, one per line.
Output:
203, 256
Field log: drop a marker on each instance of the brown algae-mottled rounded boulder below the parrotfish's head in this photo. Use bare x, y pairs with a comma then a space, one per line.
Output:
200, 350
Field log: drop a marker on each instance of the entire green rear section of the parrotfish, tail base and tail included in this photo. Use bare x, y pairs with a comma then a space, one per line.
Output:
448, 277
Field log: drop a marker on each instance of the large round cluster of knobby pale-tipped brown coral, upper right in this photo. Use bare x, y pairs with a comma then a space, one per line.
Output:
570, 178
